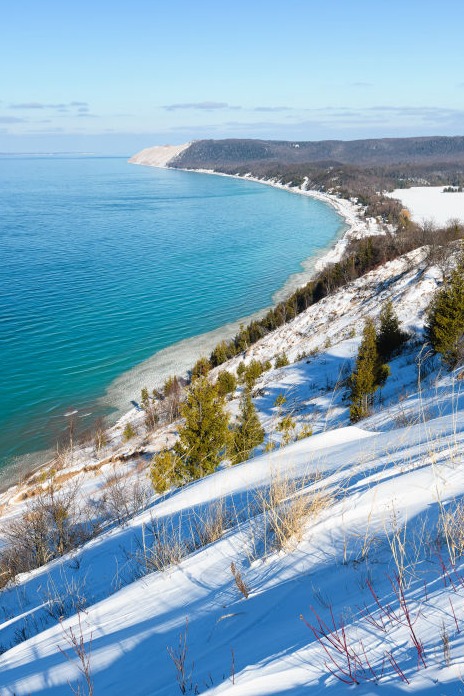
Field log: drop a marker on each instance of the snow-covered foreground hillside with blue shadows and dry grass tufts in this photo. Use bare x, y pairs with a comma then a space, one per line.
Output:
346, 544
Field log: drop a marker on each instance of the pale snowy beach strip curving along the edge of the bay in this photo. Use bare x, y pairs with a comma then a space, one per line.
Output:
188, 350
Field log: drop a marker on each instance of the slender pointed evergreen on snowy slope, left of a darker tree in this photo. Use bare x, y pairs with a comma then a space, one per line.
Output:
369, 374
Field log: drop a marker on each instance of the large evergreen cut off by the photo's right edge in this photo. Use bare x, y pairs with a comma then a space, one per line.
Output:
445, 321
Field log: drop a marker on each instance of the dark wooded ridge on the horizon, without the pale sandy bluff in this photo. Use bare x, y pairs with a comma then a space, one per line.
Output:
234, 153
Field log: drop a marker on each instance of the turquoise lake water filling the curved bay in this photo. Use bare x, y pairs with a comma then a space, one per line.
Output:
105, 263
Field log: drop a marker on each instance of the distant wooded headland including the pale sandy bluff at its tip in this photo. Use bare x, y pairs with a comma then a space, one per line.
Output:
357, 168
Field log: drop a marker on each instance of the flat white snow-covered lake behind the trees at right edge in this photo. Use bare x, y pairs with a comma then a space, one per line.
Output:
430, 204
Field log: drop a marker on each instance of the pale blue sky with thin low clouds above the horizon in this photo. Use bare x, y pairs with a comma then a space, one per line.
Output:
114, 76
